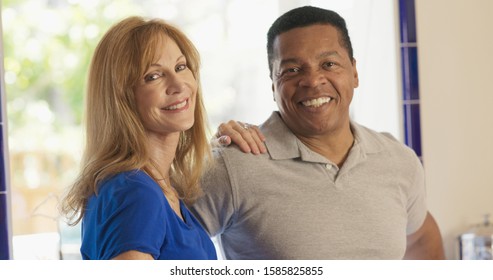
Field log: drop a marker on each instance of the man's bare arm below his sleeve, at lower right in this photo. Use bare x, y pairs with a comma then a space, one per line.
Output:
426, 242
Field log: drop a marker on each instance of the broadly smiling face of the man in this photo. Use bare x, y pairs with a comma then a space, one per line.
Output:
313, 80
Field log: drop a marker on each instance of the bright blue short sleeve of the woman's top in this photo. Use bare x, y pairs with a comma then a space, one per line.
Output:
131, 216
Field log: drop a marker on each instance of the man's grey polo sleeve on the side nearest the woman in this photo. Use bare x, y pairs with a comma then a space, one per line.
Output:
215, 209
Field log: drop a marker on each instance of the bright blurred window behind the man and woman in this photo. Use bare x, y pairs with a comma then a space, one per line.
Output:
48, 45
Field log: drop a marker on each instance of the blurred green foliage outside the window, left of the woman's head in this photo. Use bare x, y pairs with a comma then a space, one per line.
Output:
47, 47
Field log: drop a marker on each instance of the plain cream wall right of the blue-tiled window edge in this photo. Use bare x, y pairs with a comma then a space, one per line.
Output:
455, 45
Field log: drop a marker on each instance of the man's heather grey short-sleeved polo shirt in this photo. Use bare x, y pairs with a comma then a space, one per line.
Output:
293, 203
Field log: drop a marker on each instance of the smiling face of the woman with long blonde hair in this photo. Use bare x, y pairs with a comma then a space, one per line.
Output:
166, 94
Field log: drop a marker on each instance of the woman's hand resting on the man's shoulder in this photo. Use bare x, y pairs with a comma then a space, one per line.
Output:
248, 137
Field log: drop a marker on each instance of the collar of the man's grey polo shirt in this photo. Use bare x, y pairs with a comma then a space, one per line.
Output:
283, 144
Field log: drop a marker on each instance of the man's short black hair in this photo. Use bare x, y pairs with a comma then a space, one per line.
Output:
305, 16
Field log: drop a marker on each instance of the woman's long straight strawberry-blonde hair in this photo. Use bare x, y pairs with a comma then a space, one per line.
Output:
115, 137
